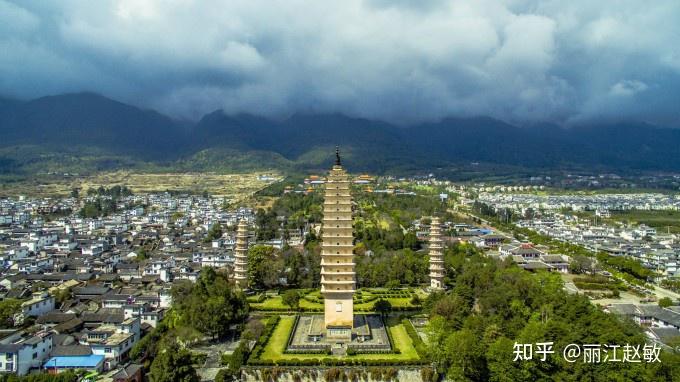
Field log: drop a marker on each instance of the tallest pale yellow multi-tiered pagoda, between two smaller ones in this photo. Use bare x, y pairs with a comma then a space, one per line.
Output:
337, 257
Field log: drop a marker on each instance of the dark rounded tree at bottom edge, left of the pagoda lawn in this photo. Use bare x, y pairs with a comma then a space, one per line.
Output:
173, 365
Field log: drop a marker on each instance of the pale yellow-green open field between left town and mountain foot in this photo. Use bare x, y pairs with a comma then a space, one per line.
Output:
232, 186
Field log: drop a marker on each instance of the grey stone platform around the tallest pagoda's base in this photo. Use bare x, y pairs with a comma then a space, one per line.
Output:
369, 335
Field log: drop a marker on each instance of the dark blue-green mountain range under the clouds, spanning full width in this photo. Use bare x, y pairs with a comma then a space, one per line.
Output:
88, 132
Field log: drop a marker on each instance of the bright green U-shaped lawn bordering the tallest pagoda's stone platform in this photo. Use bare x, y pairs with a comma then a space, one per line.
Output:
274, 350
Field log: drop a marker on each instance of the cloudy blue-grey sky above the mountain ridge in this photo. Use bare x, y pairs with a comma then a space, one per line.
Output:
403, 61
